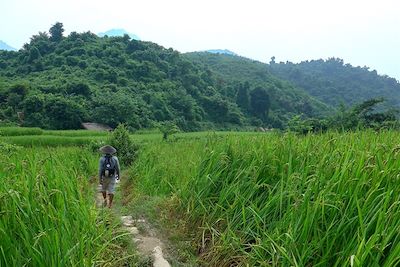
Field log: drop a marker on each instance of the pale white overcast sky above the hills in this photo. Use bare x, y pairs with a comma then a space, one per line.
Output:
362, 33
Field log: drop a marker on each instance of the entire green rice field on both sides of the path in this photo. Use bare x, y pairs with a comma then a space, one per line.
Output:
250, 199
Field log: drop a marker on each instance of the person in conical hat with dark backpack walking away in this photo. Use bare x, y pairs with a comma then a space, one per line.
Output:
109, 172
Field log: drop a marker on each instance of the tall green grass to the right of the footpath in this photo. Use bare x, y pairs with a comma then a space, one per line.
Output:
284, 200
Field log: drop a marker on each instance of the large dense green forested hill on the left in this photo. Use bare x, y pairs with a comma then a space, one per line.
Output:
60, 83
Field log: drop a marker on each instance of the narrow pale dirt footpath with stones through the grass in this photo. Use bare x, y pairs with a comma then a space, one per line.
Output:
143, 235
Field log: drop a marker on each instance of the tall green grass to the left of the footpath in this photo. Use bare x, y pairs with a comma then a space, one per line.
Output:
47, 211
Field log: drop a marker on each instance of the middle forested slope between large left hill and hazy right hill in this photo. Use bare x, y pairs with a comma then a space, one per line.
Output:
286, 99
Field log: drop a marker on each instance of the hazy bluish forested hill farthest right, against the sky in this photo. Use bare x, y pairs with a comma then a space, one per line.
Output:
334, 82
